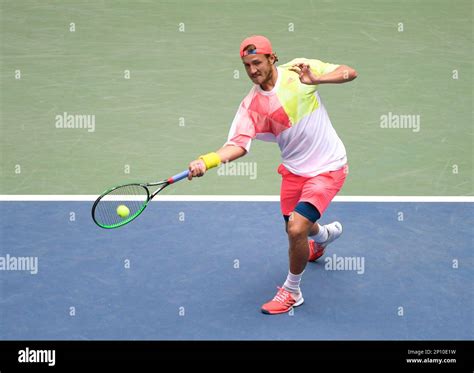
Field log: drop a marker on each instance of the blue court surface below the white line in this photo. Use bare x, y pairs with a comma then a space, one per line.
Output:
201, 270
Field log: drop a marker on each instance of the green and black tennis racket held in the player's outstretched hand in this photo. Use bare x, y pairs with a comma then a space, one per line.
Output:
122, 204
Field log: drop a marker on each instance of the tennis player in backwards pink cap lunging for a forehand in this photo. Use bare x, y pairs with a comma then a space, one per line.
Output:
284, 106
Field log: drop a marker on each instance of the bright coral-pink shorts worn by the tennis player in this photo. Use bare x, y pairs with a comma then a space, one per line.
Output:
318, 190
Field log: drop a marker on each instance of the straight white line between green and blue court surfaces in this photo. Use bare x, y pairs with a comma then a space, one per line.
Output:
238, 198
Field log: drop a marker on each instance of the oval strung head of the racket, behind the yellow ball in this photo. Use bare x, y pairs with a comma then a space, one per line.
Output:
107, 212
